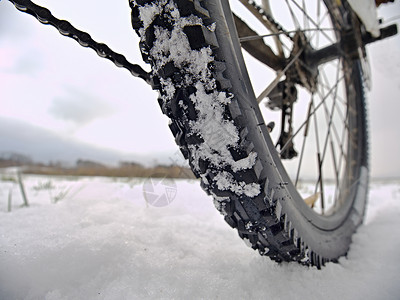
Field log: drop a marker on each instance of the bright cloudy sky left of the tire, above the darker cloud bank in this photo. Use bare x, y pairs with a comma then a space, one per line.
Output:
49, 81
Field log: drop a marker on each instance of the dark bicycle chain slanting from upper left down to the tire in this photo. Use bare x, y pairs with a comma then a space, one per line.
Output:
44, 16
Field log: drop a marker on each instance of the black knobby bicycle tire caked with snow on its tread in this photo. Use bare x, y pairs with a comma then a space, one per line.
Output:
236, 159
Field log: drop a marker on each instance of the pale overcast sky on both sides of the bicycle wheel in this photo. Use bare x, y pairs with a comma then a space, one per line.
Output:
49, 82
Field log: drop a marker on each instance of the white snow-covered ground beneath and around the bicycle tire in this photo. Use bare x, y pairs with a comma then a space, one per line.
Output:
98, 238
